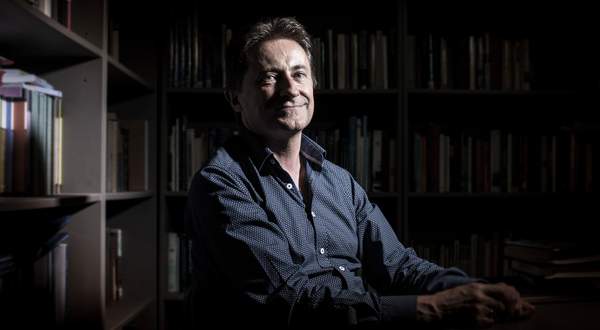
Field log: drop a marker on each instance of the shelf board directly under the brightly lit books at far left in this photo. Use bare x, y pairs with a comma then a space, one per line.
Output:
15, 204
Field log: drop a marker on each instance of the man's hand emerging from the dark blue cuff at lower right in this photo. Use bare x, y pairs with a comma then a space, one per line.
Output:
474, 304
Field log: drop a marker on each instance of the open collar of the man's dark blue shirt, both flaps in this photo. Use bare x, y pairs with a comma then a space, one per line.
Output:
260, 153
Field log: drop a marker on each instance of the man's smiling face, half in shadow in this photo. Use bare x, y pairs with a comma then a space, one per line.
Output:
276, 96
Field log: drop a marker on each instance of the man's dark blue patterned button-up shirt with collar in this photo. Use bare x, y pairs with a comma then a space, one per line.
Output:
265, 254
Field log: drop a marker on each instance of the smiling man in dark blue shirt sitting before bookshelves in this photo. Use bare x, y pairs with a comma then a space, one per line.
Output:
283, 237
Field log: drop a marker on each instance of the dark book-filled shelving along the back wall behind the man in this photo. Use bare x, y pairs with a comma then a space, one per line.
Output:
546, 90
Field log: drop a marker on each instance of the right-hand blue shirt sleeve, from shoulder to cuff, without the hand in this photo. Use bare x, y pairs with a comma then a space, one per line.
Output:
396, 273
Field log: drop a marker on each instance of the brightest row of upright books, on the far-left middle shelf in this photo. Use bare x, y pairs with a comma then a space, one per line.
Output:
31, 117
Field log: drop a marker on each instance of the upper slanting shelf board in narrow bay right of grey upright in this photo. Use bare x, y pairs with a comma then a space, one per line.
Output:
123, 83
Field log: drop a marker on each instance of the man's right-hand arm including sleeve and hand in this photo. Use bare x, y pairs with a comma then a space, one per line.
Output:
439, 294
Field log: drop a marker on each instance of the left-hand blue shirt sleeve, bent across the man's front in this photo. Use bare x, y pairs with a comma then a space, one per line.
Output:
251, 252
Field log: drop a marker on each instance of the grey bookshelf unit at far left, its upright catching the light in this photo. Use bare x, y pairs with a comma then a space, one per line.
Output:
95, 84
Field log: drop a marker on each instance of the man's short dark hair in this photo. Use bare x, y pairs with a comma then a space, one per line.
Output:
243, 46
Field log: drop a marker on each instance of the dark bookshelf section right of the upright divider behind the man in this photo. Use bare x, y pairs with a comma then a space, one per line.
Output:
499, 144
